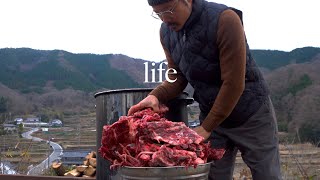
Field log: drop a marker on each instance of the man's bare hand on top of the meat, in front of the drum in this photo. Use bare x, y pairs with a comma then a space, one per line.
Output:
149, 102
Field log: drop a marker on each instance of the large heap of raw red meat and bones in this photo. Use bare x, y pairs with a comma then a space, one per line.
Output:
147, 139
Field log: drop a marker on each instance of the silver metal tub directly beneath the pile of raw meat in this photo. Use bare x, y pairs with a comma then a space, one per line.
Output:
201, 172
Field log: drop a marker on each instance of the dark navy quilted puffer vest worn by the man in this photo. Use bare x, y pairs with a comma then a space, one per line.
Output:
194, 50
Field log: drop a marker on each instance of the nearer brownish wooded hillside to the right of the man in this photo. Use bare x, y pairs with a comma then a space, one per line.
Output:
295, 91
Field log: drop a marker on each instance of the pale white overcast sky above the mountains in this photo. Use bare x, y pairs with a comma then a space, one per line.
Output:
126, 27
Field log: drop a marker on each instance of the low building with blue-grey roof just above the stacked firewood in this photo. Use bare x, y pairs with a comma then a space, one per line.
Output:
74, 157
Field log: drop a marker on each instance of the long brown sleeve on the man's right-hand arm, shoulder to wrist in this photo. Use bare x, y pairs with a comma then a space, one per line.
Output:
232, 48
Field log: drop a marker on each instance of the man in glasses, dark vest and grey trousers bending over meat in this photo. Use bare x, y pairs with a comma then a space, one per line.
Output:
205, 43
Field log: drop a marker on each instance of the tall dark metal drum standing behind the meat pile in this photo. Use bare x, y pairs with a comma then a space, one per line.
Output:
110, 105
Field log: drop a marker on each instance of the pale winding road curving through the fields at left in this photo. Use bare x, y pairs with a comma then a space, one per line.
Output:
57, 151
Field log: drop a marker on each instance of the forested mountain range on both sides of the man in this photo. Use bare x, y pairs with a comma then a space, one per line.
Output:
53, 82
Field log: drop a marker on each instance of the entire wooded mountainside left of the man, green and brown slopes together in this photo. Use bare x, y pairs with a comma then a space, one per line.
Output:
39, 81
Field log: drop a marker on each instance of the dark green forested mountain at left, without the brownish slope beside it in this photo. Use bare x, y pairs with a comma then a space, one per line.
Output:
29, 70
